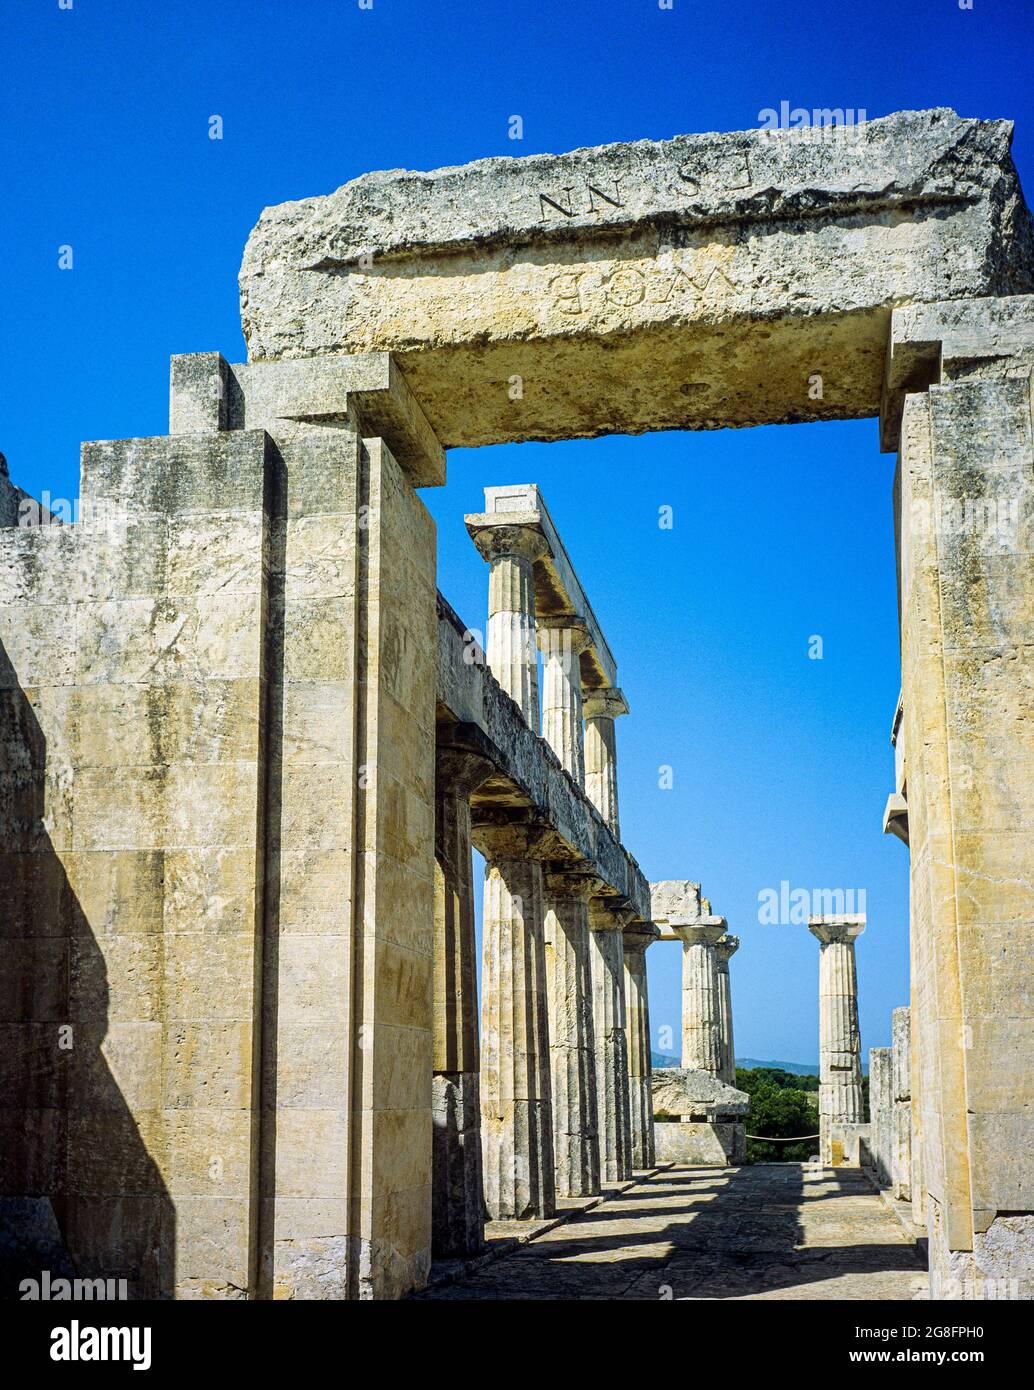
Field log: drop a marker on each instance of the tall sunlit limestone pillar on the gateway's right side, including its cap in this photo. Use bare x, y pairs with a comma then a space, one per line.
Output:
965, 501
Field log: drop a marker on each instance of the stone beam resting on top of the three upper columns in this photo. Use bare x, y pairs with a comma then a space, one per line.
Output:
558, 589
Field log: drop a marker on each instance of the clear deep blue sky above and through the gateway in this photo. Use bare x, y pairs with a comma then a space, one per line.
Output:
782, 764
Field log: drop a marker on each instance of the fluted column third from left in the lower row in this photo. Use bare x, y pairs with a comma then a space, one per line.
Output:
572, 1032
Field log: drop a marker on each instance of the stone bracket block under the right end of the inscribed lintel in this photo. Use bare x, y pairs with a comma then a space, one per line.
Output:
932, 344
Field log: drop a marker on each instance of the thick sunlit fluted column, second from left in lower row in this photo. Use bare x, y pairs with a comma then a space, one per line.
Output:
516, 1111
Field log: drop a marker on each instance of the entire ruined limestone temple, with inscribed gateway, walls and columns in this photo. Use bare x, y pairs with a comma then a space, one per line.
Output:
247, 747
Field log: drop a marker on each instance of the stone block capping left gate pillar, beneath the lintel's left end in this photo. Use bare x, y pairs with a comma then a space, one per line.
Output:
209, 395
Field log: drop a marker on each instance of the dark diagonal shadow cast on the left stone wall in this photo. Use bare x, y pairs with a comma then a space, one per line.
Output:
80, 1192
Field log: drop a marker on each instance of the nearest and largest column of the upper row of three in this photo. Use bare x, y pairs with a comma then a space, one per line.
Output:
512, 654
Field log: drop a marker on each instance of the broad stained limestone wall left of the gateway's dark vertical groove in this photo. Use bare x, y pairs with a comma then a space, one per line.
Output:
133, 876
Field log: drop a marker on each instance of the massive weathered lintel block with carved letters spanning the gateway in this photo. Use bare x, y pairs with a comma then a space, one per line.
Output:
646, 269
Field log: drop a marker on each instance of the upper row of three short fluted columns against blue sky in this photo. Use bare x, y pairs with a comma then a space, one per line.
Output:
577, 726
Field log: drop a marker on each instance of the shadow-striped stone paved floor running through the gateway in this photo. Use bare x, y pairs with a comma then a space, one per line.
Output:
773, 1231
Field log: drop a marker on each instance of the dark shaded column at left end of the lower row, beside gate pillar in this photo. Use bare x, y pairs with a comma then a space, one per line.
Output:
458, 1210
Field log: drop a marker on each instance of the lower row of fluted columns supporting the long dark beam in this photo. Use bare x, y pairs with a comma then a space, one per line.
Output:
554, 1099
